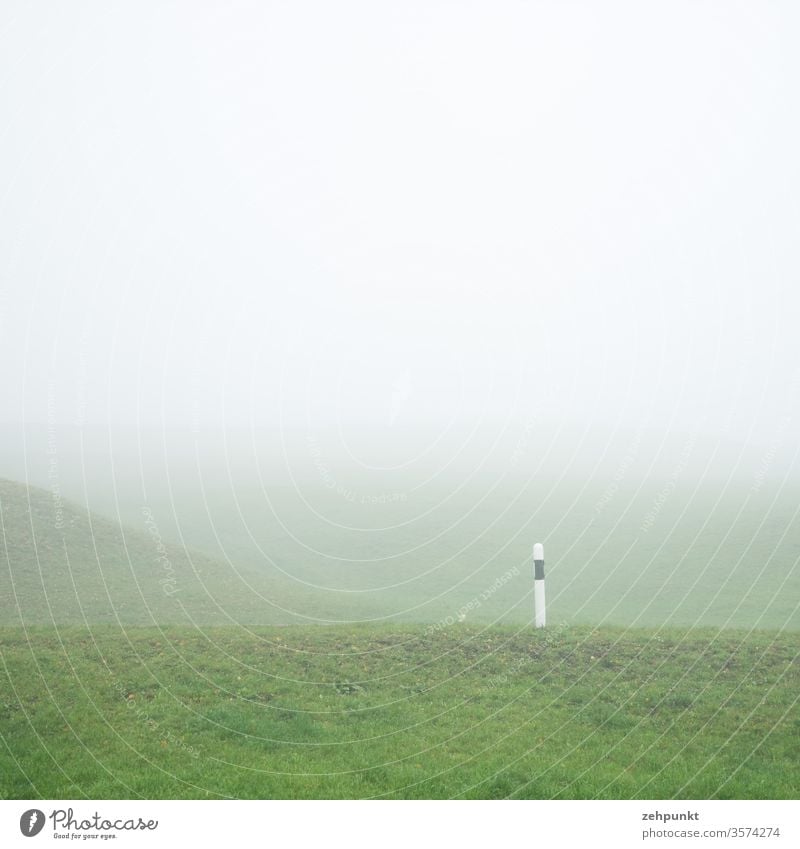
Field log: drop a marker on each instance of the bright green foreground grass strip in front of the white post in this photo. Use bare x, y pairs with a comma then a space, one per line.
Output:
398, 712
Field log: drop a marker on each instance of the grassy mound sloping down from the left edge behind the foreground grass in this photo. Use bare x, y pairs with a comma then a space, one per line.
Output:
60, 564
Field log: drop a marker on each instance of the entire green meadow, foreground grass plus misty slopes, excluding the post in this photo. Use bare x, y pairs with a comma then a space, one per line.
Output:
206, 640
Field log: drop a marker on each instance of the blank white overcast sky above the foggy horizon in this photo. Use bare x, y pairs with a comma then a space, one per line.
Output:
409, 213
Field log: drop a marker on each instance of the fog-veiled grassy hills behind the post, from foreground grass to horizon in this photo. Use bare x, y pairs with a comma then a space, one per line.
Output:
688, 536
